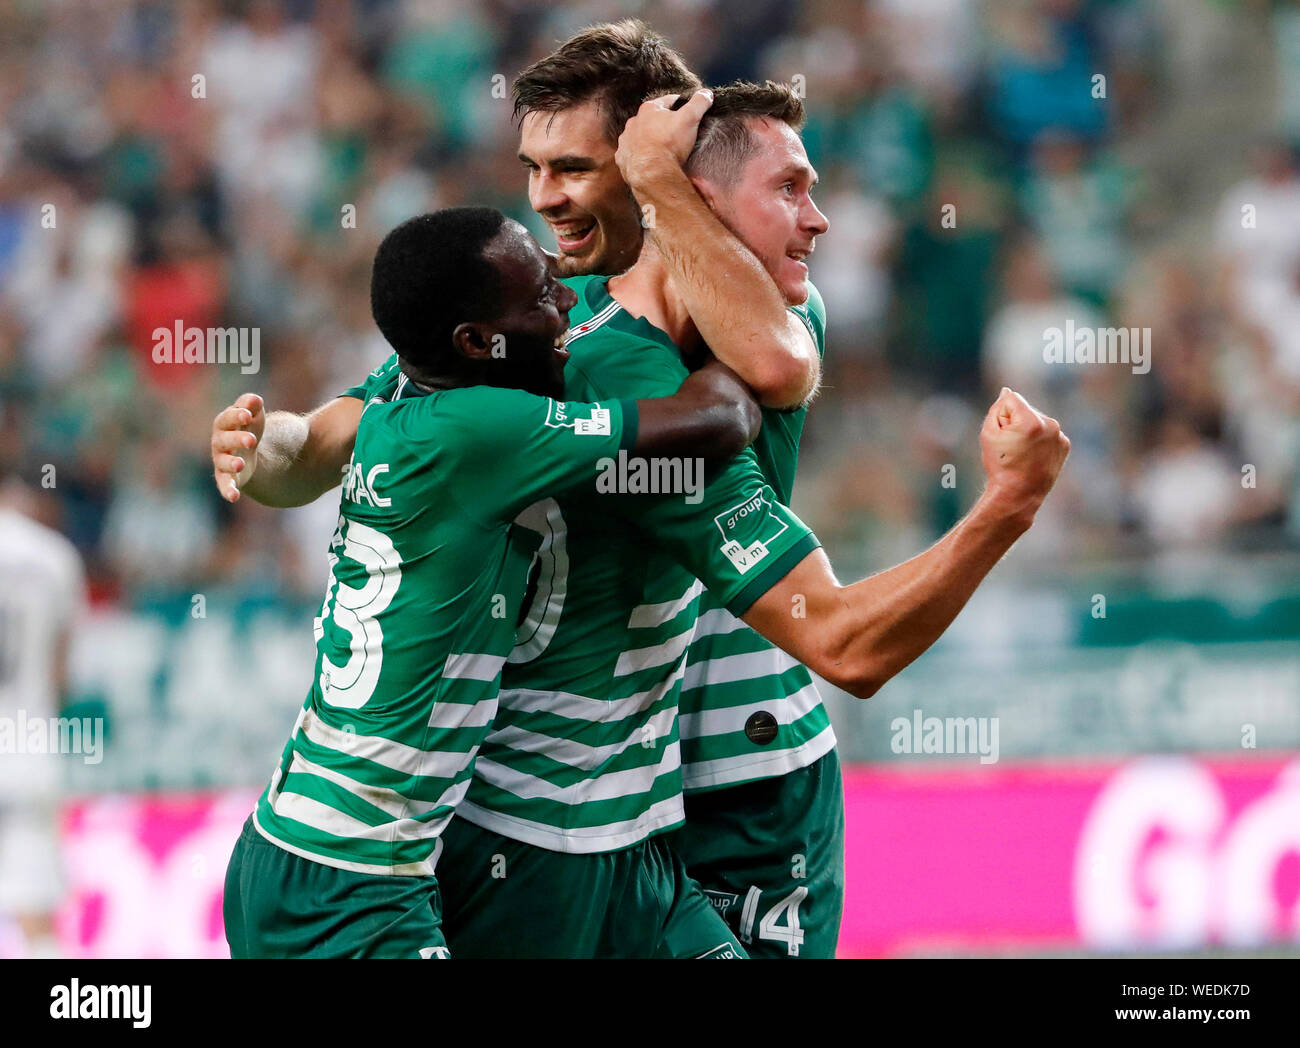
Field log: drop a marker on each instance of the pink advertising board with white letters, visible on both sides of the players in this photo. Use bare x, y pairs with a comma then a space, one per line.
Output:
1152, 854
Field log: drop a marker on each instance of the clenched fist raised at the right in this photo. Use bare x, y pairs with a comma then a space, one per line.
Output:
1022, 451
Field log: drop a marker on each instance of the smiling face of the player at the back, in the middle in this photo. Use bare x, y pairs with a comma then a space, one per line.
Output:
575, 185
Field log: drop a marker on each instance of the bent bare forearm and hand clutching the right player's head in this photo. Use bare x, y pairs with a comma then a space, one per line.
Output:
731, 298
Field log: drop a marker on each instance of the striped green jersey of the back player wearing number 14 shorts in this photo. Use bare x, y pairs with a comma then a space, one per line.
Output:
748, 709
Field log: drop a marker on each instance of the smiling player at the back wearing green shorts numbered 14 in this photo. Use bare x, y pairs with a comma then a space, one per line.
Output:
575, 103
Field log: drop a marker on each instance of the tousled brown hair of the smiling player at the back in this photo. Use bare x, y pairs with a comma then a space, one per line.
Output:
621, 64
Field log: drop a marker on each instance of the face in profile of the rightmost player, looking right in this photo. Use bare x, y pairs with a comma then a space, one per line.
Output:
770, 206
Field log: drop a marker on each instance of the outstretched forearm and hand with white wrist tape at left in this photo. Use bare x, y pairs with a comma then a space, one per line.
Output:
283, 460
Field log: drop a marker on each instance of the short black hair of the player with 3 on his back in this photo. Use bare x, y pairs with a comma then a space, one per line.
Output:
430, 276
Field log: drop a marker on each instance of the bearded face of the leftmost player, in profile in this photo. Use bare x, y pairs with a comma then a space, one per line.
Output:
534, 318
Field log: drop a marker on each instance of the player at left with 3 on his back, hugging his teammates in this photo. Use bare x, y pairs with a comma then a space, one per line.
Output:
427, 577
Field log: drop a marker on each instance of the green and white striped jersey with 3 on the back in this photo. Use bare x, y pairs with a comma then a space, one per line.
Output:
427, 579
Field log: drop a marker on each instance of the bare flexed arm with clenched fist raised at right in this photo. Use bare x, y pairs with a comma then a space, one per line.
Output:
861, 635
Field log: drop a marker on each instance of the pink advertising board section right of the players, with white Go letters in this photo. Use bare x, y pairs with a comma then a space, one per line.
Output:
1159, 854
